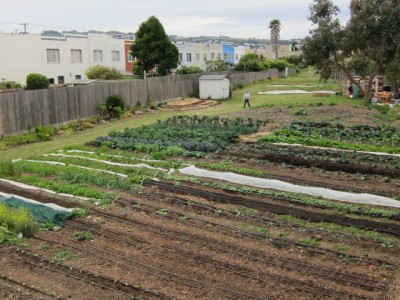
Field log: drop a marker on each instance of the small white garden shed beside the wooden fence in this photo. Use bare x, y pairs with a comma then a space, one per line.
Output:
214, 87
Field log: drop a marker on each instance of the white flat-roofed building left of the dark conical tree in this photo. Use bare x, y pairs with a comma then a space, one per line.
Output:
62, 57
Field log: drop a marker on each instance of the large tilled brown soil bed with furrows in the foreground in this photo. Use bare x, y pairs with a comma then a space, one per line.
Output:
150, 246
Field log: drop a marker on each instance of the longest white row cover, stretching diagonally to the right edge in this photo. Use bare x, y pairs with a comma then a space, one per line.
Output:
292, 188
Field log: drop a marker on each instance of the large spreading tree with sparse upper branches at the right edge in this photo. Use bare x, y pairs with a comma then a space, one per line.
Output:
367, 43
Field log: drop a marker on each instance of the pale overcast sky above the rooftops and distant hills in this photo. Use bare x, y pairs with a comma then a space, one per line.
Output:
234, 18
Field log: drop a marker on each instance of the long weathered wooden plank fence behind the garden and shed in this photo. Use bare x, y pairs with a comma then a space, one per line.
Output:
23, 110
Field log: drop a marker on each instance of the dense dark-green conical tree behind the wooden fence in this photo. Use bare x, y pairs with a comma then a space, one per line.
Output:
153, 49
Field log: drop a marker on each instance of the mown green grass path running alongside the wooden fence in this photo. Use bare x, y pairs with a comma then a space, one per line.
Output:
225, 108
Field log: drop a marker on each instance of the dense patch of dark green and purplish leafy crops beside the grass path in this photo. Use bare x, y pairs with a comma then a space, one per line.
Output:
192, 134
